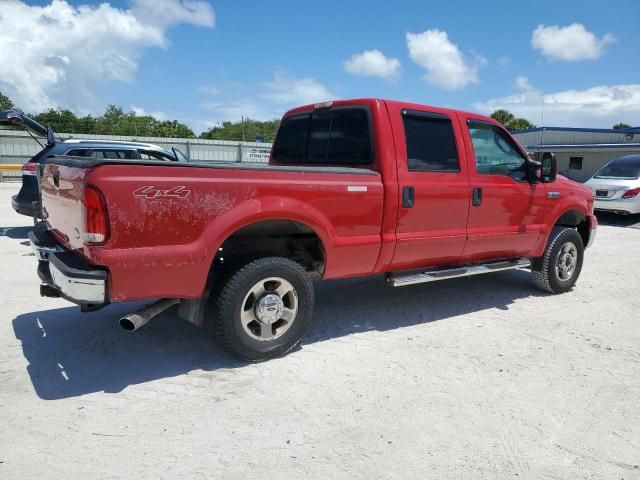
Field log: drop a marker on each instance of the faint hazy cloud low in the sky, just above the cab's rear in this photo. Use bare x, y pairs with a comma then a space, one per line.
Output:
292, 91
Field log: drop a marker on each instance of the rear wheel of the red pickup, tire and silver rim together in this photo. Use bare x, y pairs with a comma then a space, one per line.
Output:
261, 310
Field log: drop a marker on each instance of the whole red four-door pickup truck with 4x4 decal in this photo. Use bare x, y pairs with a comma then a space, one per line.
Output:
355, 187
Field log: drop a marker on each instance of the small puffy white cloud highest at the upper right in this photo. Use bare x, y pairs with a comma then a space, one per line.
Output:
570, 43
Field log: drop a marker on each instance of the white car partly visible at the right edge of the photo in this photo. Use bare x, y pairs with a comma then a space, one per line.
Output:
616, 186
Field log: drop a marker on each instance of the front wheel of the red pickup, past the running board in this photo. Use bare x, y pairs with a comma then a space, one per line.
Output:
545, 274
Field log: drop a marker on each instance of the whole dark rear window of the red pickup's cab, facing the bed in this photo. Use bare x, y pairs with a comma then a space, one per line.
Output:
338, 136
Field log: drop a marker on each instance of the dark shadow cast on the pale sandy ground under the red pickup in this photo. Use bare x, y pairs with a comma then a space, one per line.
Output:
72, 354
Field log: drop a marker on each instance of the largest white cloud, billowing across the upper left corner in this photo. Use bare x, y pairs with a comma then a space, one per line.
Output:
59, 54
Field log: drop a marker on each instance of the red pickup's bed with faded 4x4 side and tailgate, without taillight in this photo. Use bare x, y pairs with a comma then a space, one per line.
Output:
168, 220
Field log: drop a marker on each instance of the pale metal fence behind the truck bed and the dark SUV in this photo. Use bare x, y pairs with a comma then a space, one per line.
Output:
18, 147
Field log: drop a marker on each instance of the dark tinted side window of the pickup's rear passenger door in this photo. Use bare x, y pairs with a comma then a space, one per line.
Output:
431, 146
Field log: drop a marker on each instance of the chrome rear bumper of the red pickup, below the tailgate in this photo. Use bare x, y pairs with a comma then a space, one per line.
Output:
67, 273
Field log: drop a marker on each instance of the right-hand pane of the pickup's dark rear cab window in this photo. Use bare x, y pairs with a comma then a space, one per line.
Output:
350, 141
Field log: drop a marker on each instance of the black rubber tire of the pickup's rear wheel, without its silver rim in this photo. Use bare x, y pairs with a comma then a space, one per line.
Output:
229, 300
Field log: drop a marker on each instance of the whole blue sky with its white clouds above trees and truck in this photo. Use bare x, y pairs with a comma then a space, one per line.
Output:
204, 62
